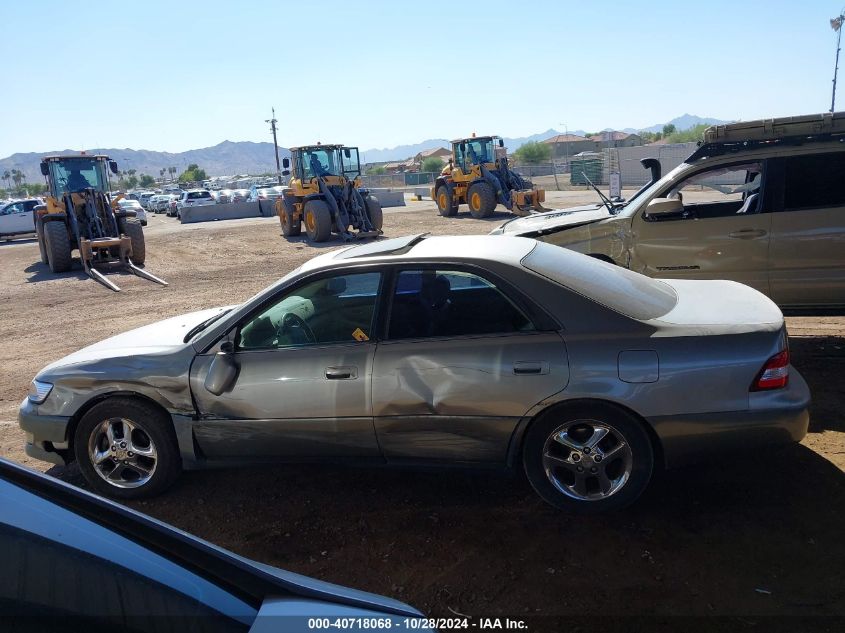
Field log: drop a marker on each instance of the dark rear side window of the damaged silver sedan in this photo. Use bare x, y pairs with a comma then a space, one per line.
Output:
429, 303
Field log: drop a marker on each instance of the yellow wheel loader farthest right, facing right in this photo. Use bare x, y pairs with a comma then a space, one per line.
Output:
478, 175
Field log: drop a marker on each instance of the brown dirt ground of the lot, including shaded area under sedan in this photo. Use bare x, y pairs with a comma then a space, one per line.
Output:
753, 541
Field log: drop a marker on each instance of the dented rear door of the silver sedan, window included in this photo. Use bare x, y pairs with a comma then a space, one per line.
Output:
460, 366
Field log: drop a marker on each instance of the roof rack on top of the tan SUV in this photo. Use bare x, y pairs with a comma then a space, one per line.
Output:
748, 135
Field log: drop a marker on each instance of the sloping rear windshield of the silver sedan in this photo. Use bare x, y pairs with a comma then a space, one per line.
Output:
617, 288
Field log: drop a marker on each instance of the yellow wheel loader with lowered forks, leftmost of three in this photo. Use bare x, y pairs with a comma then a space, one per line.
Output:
80, 213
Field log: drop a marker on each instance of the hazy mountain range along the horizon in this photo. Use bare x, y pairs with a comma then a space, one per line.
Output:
245, 157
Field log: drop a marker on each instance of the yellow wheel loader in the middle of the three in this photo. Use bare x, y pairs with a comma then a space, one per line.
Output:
325, 195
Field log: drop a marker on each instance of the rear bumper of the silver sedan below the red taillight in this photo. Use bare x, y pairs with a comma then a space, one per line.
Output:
775, 417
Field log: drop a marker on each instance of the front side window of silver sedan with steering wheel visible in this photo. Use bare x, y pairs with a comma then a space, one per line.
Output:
336, 309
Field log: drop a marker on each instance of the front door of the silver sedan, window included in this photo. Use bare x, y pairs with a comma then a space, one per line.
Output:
303, 384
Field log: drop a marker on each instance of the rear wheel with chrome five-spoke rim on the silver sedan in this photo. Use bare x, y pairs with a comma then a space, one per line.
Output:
588, 458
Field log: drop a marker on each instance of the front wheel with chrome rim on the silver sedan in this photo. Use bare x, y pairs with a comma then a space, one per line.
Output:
126, 449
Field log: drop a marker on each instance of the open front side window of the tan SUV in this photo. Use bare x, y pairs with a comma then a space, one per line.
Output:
723, 191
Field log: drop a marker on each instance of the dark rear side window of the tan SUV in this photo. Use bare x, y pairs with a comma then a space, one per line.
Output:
814, 181
